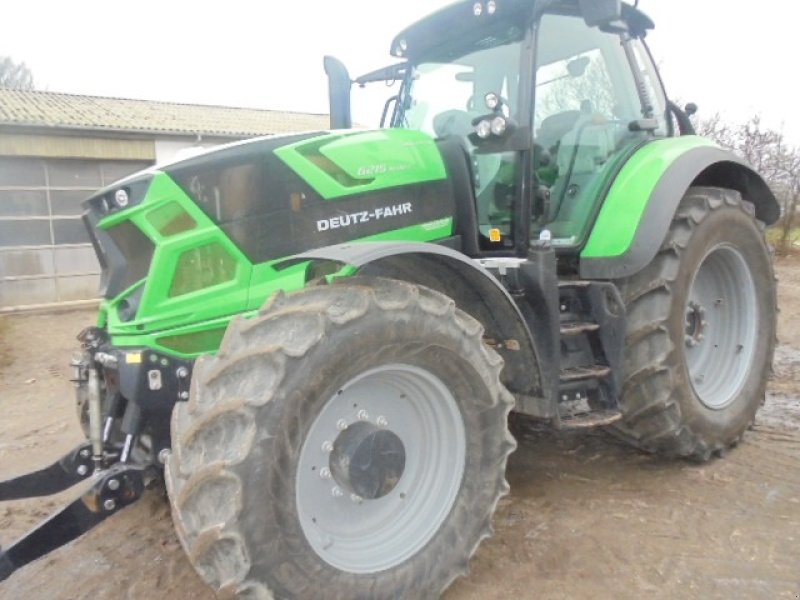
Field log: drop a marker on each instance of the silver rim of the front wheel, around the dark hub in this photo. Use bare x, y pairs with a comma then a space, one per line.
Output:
362, 536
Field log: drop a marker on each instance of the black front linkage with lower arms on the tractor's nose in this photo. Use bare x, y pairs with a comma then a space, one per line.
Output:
126, 448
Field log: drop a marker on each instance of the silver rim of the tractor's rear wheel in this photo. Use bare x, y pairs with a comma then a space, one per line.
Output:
720, 327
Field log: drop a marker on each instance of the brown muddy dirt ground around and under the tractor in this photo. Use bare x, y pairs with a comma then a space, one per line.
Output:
586, 518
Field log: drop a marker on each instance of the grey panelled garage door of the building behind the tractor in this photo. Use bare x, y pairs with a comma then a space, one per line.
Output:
45, 253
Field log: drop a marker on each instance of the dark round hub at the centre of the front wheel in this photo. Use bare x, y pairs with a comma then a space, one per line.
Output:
367, 461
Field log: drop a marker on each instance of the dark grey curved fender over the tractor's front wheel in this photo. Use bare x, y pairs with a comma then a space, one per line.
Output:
475, 291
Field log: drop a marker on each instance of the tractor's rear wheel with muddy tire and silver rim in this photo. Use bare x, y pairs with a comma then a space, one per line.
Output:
701, 330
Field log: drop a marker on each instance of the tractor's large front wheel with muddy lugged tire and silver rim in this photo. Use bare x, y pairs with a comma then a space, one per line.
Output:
349, 442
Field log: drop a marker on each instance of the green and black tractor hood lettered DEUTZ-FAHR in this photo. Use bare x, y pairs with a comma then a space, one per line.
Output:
203, 239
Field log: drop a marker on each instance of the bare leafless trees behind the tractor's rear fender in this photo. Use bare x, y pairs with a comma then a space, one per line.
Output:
769, 153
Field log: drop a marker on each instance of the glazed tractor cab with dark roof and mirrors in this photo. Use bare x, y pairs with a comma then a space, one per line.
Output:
546, 101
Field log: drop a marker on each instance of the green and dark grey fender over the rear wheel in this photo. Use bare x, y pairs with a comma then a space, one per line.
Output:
642, 201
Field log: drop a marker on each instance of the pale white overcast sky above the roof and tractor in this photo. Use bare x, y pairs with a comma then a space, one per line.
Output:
718, 53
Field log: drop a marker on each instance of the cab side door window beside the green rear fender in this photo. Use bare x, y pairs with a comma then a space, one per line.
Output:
585, 100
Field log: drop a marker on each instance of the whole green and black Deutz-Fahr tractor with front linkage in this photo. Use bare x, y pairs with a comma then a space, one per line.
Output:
317, 339
